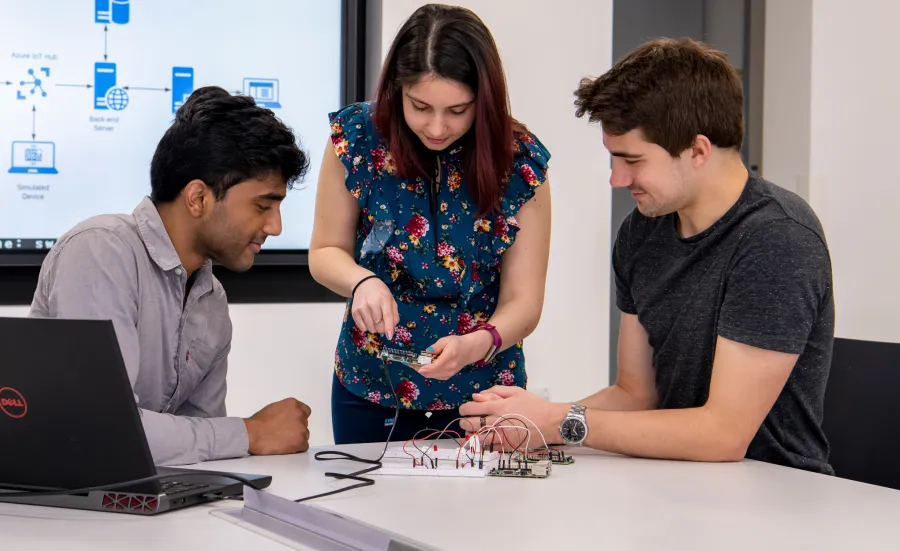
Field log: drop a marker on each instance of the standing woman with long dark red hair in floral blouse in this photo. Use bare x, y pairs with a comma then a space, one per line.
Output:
433, 217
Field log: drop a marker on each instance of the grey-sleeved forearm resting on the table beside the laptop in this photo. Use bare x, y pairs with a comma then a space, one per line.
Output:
176, 440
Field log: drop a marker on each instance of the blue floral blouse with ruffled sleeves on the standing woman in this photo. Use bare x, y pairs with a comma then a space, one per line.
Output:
440, 262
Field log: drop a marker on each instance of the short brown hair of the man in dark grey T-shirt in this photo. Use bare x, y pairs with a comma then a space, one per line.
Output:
672, 90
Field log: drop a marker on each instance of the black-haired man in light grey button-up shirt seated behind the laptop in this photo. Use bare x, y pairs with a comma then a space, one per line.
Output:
217, 178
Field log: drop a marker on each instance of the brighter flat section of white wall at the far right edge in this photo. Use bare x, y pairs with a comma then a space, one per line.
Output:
854, 183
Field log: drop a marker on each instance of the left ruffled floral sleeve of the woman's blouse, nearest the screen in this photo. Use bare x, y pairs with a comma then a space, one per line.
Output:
351, 137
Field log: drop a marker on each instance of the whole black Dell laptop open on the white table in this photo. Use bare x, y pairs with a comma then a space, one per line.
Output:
68, 421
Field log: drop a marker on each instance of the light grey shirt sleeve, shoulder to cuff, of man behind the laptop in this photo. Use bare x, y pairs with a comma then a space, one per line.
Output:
94, 276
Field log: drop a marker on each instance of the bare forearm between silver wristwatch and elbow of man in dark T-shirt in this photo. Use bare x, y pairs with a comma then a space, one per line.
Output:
692, 434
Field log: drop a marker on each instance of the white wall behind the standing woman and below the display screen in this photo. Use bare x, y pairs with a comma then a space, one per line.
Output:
546, 52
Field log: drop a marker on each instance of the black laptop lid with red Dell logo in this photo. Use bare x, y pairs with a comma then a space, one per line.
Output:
68, 418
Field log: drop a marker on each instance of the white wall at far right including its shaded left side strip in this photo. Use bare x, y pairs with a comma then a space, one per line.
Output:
841, 130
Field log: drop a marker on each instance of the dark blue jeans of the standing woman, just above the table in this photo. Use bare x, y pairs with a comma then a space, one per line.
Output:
355, 420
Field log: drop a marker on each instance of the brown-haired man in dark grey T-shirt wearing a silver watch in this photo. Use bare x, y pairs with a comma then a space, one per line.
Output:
723, 280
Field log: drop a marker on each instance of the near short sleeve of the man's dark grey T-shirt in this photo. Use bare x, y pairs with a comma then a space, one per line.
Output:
775, 289
